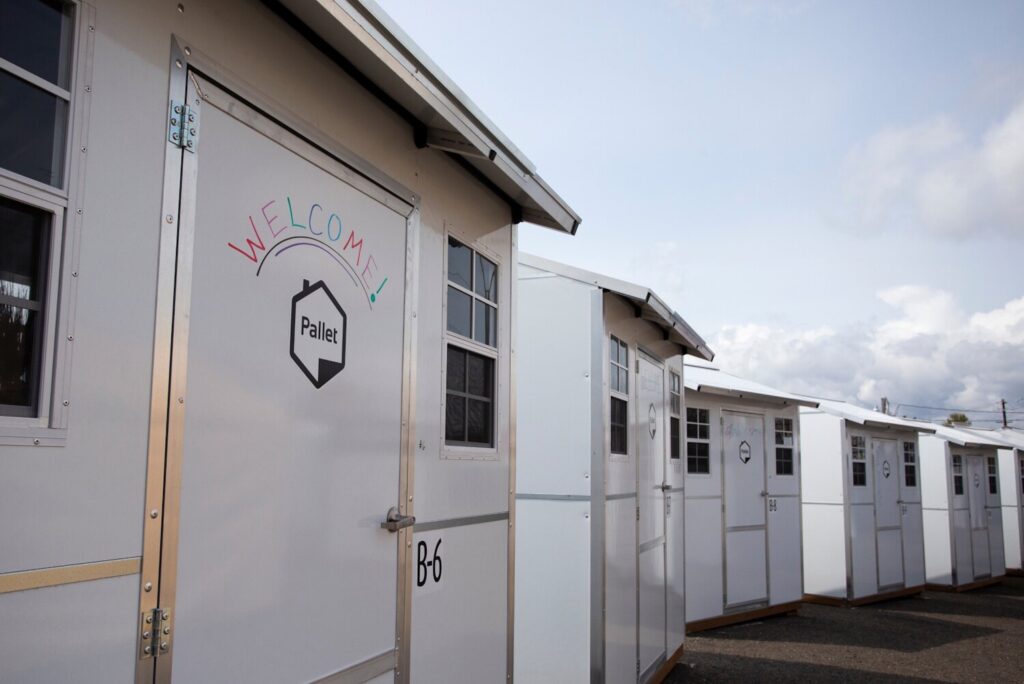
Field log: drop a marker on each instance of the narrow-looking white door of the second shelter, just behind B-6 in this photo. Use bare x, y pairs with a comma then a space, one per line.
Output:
652, 425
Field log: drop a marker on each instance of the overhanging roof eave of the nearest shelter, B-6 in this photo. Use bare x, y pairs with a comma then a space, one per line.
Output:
444, 118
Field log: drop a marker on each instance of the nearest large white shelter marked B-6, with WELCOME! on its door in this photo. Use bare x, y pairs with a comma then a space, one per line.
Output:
257, 272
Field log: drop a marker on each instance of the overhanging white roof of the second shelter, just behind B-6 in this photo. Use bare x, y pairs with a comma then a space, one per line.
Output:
650, 307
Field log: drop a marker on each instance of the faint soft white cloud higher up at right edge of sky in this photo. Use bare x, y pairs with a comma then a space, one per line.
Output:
933, 176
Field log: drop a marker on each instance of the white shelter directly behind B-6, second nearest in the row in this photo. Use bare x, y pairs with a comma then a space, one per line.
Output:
600, 543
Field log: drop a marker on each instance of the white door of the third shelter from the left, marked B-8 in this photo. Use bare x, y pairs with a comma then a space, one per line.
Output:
744, 467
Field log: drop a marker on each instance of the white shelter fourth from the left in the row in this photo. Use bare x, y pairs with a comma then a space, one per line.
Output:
863, 483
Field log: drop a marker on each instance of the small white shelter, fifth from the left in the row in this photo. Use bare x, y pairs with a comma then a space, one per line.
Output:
963, 510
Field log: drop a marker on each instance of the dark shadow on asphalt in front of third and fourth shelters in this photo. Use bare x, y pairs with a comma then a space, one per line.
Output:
870, 628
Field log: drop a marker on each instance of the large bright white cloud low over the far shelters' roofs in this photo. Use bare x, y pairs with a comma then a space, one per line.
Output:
928, 353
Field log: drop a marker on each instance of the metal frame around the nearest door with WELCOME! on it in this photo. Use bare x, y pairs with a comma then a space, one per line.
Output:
194, 76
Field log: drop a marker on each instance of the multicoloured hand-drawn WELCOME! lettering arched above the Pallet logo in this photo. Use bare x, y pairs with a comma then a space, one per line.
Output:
315, 225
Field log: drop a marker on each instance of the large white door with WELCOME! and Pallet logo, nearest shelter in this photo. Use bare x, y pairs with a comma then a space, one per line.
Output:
286, 410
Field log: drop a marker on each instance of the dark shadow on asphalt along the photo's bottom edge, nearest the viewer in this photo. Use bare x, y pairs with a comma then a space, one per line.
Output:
700, 668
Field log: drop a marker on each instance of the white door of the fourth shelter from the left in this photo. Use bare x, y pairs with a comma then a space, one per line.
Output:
888, 515
